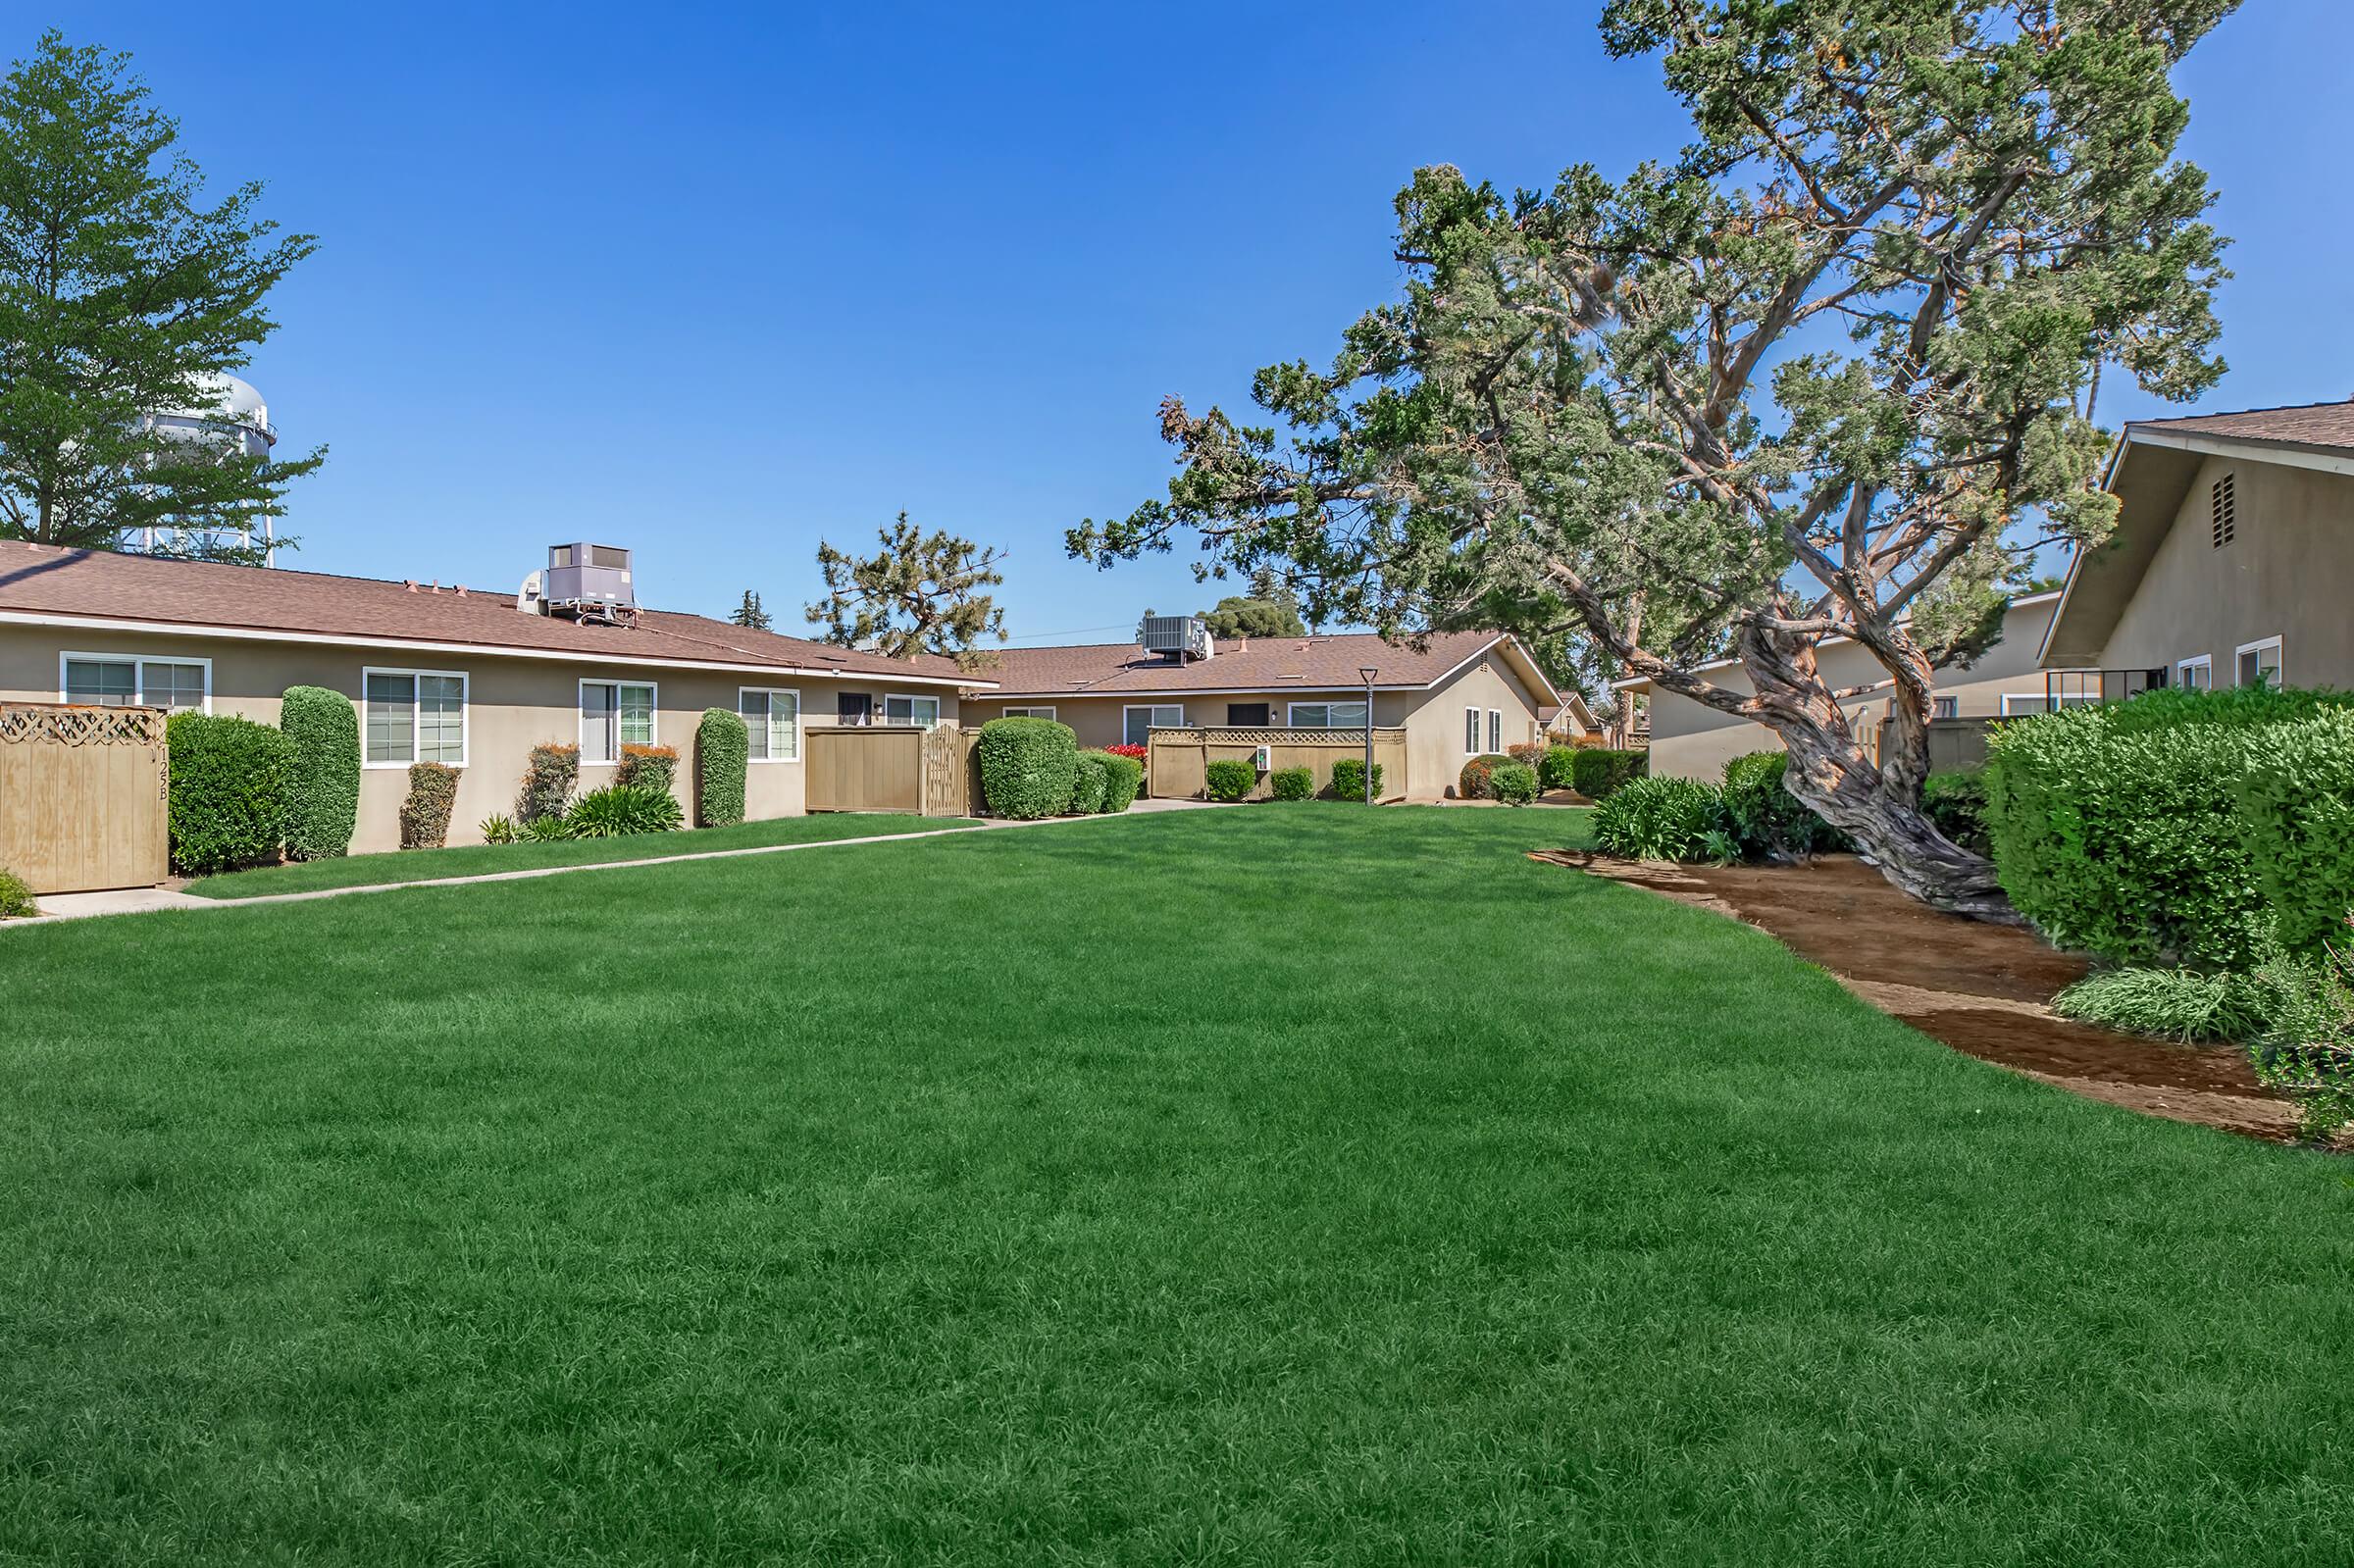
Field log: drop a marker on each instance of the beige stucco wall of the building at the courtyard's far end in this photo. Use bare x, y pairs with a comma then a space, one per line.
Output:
1432, 719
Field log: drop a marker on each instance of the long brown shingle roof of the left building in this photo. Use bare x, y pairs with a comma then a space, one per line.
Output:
46, 585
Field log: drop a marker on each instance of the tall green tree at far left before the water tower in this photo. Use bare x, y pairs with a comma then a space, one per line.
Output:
124, 295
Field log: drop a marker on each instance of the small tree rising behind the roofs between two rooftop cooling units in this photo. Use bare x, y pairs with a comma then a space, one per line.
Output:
917, 594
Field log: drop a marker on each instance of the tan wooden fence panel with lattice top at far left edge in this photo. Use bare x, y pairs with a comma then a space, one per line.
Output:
84, 797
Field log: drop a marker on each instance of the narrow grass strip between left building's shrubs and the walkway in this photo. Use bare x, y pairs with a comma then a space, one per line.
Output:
474, 861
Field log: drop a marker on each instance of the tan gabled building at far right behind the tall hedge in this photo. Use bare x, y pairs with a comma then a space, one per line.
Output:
2233, 562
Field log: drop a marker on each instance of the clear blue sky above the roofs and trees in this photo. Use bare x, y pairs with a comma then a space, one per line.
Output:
719, 281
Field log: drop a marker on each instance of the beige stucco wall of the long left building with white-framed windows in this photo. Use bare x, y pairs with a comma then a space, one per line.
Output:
512, 705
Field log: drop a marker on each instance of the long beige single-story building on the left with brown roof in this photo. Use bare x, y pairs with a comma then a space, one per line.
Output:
444, 675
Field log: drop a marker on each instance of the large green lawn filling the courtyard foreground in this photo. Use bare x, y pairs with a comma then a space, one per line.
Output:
1272, 1185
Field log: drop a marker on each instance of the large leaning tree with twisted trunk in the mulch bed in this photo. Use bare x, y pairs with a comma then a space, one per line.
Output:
1826, 373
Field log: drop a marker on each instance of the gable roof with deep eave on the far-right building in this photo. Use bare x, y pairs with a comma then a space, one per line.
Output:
2150, 474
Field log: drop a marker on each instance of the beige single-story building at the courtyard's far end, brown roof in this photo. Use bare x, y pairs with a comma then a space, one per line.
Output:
1458, 696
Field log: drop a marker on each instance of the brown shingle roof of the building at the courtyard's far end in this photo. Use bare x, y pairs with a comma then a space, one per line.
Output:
1261, 665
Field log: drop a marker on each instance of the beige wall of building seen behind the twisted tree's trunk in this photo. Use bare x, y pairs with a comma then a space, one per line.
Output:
1691, 740
